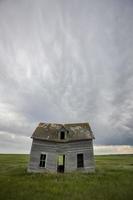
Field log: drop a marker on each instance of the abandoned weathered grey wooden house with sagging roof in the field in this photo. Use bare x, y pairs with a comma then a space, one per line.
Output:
62, 148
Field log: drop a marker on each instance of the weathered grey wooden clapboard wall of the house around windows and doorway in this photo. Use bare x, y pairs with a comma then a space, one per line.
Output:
52, 150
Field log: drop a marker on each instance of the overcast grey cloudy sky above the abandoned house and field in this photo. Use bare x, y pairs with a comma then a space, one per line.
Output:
66, 61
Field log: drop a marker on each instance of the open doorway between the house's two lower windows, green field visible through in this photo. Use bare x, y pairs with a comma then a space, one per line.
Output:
61, 163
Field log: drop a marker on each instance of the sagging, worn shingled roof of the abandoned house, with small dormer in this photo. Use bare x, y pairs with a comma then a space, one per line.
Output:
50, 132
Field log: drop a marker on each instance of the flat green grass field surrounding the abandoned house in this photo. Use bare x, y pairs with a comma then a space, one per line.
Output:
113, 180
